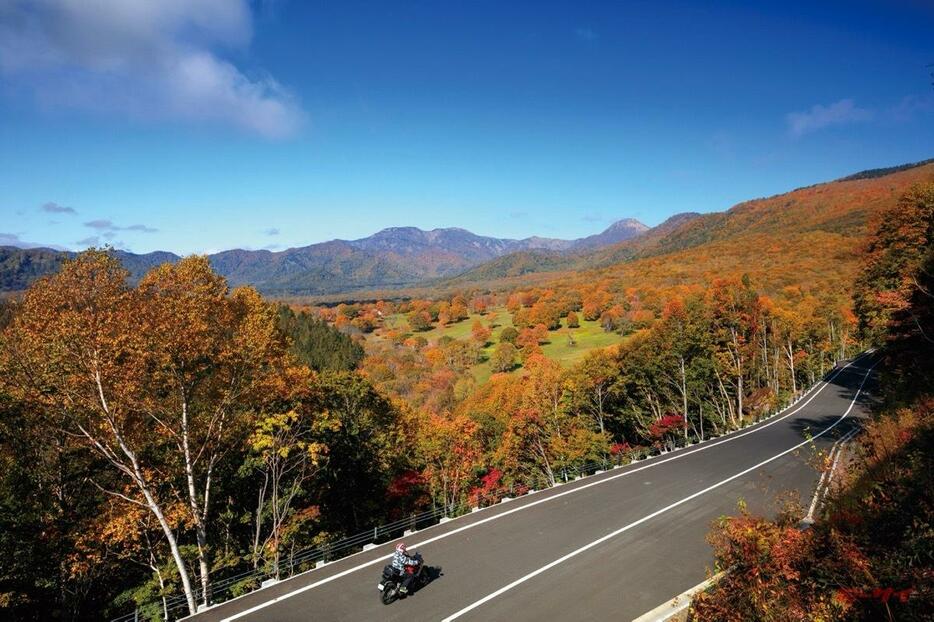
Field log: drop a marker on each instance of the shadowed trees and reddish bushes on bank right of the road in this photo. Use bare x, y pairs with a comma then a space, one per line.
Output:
870, 556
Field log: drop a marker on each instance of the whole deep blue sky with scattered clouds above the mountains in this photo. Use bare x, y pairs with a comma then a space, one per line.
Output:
198, 126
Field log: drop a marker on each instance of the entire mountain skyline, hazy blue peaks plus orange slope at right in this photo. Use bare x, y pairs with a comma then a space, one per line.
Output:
808, 229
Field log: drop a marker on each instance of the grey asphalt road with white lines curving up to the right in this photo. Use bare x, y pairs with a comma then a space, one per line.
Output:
611, 546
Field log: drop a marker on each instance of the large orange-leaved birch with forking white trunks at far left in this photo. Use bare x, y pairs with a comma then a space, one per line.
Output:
159, 380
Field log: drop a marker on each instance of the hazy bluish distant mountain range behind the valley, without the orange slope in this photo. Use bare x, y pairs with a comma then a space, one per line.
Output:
393, 257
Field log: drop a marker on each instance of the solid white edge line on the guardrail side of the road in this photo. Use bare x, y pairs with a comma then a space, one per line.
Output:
681, 454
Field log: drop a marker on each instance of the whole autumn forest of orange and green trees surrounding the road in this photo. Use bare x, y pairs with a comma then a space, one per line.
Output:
170, 440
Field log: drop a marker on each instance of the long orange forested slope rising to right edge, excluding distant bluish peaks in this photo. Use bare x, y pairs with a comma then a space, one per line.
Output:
810, 235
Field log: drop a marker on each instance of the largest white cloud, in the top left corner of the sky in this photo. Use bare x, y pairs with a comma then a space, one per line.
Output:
145, 59
